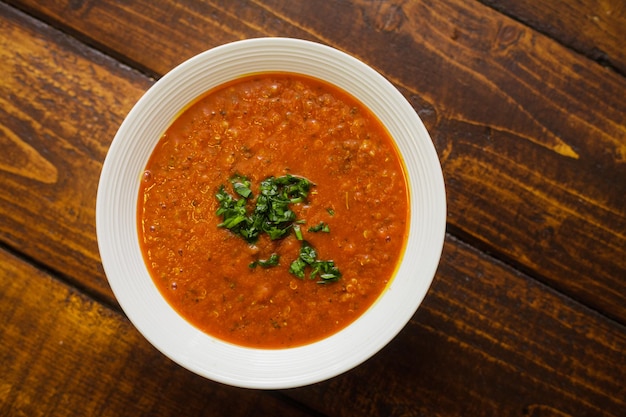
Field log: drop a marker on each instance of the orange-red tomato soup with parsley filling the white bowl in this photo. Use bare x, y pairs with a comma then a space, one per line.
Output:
352, 213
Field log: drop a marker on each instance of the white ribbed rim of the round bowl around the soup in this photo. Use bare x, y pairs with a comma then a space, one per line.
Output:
116, 217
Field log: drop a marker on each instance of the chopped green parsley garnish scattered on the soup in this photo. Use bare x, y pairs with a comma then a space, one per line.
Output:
272, 215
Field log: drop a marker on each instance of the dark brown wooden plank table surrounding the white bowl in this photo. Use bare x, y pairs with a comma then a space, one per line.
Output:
525, 101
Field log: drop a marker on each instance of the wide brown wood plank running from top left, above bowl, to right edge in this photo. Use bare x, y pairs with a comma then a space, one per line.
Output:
528, 132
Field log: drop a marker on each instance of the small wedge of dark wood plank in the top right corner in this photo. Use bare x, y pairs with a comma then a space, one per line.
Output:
596, 29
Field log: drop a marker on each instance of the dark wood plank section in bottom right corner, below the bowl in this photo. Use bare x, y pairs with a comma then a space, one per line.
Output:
487, 341
